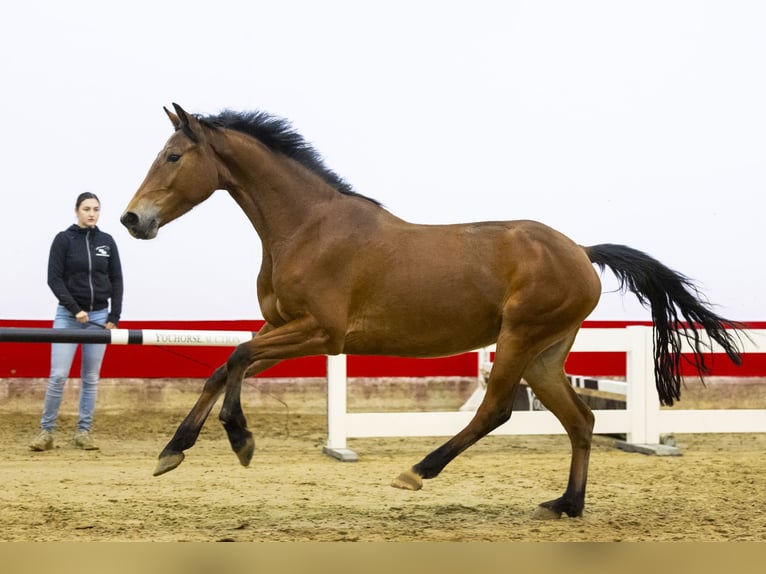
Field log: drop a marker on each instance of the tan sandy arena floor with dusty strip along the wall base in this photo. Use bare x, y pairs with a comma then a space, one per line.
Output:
291, 492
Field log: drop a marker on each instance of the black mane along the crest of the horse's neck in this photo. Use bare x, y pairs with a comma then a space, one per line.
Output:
279, 136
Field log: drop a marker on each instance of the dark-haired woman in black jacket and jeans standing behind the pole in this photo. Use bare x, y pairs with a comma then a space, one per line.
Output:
85, 275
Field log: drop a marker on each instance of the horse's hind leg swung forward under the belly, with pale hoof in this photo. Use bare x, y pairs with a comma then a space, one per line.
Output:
493, 411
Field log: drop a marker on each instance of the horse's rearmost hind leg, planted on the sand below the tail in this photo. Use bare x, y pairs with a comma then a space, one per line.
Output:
547, 379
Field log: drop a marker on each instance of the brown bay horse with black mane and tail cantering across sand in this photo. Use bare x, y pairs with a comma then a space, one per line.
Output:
341, 274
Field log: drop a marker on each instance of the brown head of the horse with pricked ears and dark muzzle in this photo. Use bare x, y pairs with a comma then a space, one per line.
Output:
184, 174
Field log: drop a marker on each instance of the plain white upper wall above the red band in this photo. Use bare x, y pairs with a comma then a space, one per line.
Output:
641, 123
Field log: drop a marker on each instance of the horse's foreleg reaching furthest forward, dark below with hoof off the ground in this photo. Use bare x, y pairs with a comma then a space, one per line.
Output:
188, 431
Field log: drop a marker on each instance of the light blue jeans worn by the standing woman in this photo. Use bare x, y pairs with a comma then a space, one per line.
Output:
62, 355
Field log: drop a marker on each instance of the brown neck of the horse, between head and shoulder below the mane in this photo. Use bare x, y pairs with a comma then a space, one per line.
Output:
276, 193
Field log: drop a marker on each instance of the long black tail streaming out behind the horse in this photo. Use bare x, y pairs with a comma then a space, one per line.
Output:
669, 296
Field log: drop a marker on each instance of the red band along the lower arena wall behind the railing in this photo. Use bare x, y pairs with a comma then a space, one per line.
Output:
32, 360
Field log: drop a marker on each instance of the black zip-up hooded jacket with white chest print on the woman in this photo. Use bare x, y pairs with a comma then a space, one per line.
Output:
84, 271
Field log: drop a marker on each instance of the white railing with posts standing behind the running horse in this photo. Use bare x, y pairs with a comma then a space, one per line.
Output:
642, 421
